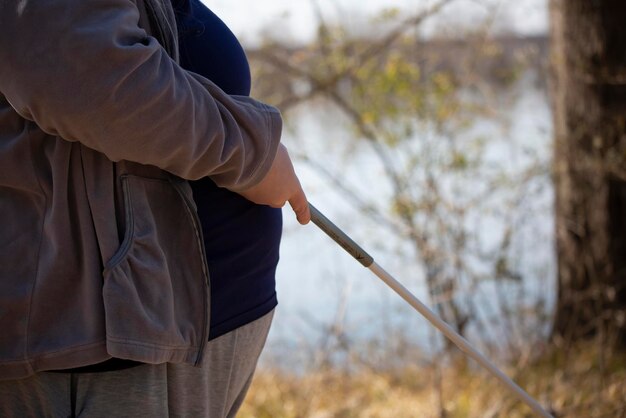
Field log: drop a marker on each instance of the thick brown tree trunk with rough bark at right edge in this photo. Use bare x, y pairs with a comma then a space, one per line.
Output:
589, 107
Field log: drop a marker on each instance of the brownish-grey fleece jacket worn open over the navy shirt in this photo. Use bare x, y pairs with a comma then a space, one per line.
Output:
100, 248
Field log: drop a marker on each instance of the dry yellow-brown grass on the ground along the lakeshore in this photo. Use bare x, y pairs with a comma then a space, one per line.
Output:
575, 384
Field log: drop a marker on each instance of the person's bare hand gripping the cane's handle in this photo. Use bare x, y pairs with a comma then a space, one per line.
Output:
279, 186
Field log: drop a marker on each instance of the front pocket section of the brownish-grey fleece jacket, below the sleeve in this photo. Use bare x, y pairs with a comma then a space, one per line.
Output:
156, 285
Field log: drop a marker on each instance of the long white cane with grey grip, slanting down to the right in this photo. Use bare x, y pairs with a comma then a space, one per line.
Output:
366, 260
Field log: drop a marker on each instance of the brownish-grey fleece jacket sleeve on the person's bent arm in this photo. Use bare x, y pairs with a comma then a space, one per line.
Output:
84, 70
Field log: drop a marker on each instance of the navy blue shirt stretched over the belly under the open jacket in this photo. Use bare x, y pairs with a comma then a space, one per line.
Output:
241, 238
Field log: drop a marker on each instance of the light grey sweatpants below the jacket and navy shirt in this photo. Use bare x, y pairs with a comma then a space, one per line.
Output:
215, 390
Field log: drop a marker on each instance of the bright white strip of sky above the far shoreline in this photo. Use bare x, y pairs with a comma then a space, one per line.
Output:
297, 18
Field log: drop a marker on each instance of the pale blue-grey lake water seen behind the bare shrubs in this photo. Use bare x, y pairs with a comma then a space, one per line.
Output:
321, 286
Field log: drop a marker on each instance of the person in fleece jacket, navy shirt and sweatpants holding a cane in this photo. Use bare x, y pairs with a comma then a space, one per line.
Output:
124, 289
